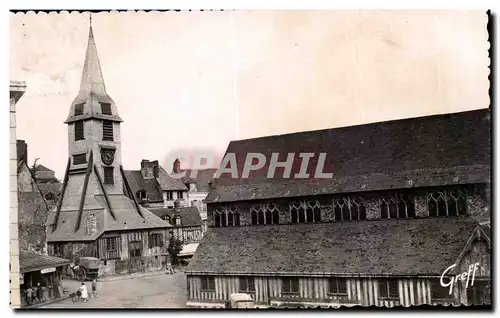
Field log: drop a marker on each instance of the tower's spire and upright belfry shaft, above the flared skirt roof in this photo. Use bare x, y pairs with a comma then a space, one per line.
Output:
94, 125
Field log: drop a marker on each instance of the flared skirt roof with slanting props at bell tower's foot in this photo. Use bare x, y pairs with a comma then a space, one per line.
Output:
123, 208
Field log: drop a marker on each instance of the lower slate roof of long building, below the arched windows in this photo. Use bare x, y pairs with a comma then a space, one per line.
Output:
386, 247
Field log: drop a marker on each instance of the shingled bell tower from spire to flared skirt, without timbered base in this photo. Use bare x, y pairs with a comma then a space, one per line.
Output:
95, 197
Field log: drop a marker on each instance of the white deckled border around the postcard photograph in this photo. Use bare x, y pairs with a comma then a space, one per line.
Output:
186, 4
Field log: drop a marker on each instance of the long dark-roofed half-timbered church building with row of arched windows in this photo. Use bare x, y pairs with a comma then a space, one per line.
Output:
407, 200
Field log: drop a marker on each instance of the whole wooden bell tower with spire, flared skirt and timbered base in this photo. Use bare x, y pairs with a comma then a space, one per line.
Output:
97, 214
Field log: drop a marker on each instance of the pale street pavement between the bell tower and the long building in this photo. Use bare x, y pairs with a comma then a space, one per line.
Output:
160, 291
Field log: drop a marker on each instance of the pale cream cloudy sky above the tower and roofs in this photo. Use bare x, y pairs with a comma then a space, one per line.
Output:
190, 82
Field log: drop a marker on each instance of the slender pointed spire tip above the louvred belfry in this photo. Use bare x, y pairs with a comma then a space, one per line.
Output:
92, 79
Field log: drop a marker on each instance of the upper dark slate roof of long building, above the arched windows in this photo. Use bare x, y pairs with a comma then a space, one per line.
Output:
429, 151
